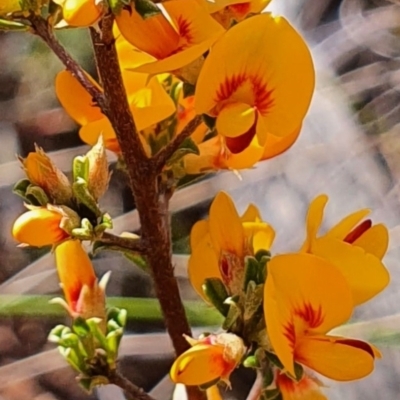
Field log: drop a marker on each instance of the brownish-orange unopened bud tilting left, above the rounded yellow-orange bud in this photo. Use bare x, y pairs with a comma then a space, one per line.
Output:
42, 172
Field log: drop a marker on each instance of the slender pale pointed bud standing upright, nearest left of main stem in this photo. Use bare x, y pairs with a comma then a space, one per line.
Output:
99, 176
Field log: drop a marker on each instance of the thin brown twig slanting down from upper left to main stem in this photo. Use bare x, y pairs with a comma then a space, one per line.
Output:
43, 29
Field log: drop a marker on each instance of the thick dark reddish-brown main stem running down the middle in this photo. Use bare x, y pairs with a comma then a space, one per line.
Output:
144, 182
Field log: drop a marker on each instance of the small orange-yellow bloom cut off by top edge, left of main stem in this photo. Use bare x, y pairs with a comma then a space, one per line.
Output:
81, 12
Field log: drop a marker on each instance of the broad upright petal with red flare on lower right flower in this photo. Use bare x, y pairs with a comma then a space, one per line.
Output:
303, 293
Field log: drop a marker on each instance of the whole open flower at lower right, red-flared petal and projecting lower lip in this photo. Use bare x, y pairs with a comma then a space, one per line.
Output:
305, 297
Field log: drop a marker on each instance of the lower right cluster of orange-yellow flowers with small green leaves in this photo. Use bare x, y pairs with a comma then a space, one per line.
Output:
282, 308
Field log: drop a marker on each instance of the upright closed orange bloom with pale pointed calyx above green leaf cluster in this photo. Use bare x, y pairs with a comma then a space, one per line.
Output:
84, 296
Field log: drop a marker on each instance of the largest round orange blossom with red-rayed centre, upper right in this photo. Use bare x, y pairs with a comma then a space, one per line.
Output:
256, 88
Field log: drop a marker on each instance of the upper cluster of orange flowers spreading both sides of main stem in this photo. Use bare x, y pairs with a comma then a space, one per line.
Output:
194, 57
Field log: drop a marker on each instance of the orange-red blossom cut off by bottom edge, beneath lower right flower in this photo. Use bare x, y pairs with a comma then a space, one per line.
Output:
308, 388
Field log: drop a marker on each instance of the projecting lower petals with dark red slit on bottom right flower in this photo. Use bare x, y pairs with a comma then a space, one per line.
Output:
337, 358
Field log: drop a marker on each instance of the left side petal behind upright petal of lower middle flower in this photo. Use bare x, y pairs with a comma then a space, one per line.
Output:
203, 264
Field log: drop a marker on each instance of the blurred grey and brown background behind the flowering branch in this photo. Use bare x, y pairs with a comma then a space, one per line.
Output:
349, 148
